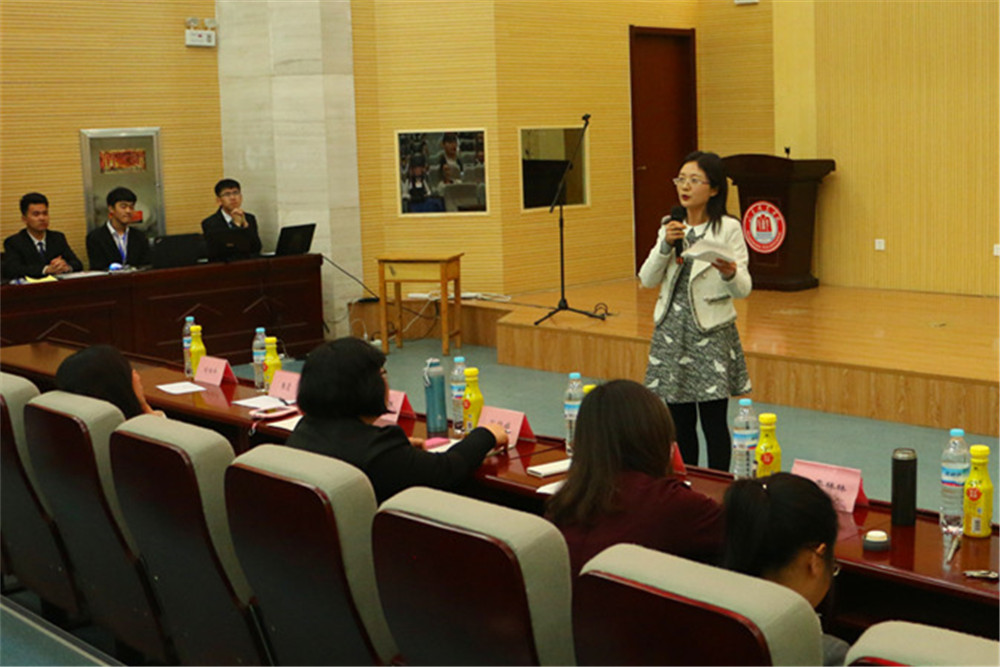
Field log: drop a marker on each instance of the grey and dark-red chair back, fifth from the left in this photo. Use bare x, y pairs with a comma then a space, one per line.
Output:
468, 582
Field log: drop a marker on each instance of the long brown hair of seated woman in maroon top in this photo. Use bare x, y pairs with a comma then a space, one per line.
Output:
622, 426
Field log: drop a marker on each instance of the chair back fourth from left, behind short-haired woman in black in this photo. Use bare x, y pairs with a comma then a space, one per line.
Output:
301, 525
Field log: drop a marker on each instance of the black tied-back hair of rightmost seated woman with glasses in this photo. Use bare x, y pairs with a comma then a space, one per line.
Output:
769, 520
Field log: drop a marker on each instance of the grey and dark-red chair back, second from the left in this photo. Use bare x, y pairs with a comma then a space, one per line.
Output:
68, 436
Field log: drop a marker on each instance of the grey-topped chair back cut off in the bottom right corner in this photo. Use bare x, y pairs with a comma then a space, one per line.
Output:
903, 643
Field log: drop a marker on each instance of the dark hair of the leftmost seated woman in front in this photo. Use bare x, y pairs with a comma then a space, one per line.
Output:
100, 371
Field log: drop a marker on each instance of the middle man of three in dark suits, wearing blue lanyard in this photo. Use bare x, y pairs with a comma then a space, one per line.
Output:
116, 242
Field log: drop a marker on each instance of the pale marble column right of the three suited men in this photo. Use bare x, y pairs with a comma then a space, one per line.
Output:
286, 82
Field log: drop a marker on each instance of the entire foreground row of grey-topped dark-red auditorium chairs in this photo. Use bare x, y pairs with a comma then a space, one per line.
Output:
189, 555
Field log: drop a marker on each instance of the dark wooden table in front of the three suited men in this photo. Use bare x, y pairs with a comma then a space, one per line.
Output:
143, 311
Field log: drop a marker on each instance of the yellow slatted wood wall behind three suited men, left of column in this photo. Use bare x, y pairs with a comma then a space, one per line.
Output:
70, 65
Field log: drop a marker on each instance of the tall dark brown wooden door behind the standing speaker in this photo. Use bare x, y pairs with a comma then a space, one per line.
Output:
664, 124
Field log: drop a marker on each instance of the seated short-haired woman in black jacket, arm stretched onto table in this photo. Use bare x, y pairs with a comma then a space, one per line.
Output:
342, 391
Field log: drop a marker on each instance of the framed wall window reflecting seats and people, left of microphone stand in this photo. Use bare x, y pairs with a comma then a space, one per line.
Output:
441, 171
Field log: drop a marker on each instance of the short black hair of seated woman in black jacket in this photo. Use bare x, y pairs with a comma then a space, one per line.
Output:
343, 378
